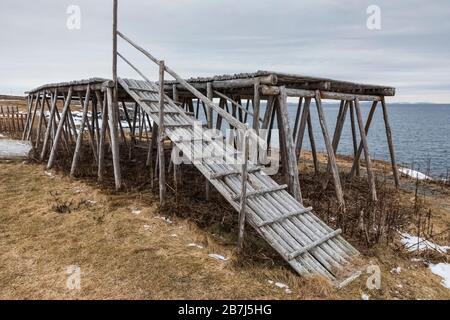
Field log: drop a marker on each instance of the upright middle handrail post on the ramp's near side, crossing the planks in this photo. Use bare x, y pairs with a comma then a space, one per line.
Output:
162, 171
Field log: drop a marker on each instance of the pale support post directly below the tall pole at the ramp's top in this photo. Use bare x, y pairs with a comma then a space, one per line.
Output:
114, 136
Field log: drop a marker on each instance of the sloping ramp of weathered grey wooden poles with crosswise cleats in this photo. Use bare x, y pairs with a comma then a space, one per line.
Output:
309, 245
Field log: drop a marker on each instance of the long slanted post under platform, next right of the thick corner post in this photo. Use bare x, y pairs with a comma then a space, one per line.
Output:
330, 151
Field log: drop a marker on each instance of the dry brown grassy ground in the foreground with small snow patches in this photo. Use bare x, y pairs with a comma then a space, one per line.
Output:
127, 249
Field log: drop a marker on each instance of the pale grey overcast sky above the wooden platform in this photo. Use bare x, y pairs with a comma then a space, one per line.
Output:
327, 38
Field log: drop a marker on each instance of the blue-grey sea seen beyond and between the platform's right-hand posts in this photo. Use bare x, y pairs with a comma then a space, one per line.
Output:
421, 134
